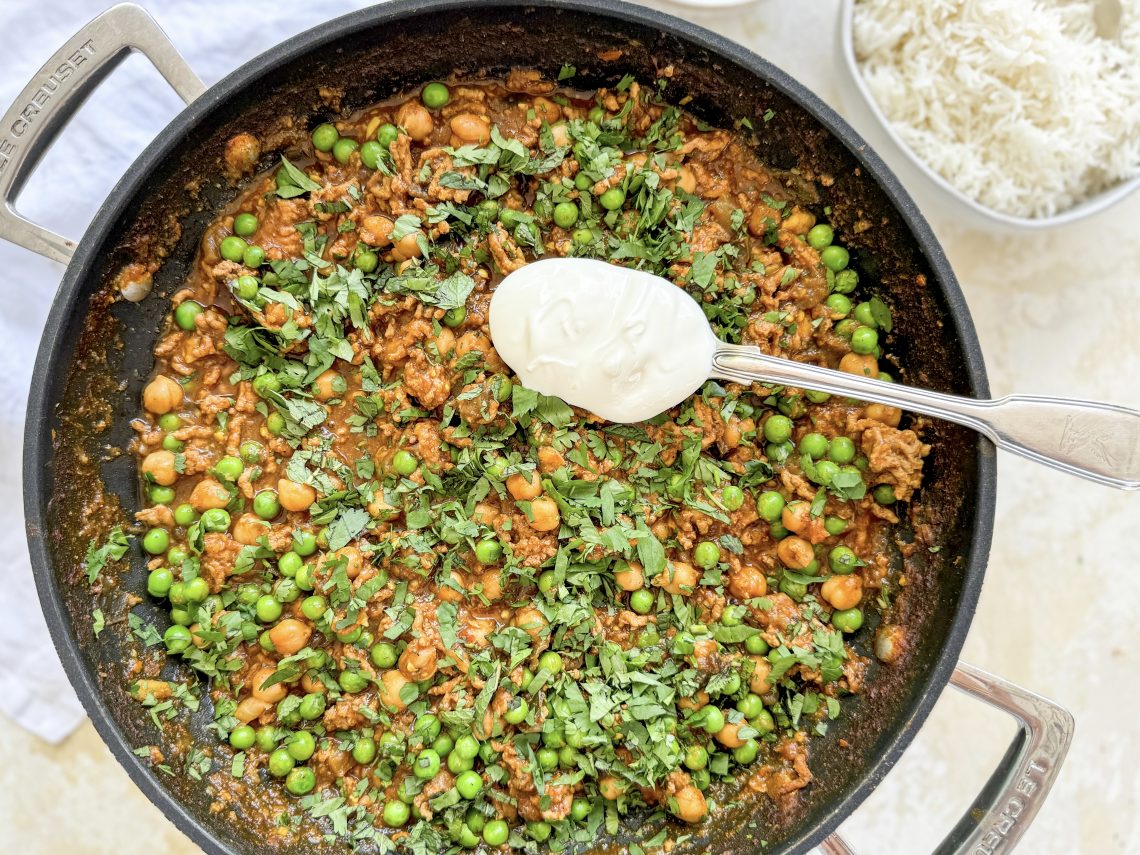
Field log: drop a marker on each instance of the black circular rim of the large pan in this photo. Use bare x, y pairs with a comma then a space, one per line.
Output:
38, 445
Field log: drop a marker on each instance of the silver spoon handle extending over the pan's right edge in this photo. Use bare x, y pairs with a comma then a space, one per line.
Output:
1097, 442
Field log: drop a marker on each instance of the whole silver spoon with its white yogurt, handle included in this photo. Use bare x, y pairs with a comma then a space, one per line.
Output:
1097, 442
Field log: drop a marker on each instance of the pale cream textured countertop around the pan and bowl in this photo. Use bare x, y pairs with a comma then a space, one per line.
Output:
1057, 314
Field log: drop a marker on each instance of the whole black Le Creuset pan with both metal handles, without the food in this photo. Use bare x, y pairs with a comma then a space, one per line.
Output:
97, 351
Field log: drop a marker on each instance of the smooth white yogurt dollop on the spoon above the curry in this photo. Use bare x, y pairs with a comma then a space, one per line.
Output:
622, 344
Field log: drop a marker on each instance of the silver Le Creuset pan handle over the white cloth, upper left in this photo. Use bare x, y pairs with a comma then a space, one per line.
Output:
59, 89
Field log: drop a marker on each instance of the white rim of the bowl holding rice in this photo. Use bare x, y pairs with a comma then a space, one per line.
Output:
1080, 211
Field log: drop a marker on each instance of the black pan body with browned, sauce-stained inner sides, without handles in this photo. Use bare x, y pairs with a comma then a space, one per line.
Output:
89, 388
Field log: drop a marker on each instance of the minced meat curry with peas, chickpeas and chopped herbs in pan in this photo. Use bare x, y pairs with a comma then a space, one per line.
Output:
439, 610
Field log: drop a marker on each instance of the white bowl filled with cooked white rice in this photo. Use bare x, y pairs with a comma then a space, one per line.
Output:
1028, 112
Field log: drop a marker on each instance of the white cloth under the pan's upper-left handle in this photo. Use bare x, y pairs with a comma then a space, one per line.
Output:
126, 112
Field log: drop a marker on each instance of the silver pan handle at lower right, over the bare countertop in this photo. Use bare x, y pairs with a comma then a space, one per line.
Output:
1015, 793
